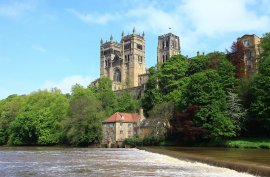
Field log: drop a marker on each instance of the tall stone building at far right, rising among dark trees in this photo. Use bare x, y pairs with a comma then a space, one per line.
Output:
252, 53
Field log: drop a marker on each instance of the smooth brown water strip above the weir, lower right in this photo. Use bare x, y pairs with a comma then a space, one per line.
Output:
241, 165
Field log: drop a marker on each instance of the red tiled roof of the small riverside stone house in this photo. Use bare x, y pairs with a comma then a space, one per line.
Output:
122, 117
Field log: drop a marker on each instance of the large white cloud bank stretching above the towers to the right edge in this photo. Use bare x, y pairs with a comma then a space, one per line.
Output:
197, 22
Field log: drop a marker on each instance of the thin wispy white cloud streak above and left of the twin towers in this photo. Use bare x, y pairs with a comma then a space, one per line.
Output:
94, 18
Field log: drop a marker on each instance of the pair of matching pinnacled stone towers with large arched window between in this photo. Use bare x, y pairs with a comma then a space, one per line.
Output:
123, 62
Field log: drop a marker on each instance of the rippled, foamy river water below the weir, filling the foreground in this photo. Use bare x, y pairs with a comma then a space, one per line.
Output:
80, 162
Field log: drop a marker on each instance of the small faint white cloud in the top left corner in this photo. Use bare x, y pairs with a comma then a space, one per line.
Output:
16, 8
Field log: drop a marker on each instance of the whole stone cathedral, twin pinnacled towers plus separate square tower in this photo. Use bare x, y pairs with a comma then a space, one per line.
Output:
124, 62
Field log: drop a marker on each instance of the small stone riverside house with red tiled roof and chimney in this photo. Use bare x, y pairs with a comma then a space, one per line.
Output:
120, 126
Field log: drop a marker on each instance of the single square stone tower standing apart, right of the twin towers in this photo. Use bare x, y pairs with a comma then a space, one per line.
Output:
168, 46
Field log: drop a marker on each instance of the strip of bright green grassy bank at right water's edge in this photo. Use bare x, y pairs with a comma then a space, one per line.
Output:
248, 143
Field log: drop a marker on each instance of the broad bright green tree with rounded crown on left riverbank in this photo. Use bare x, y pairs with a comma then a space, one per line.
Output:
39, 121
